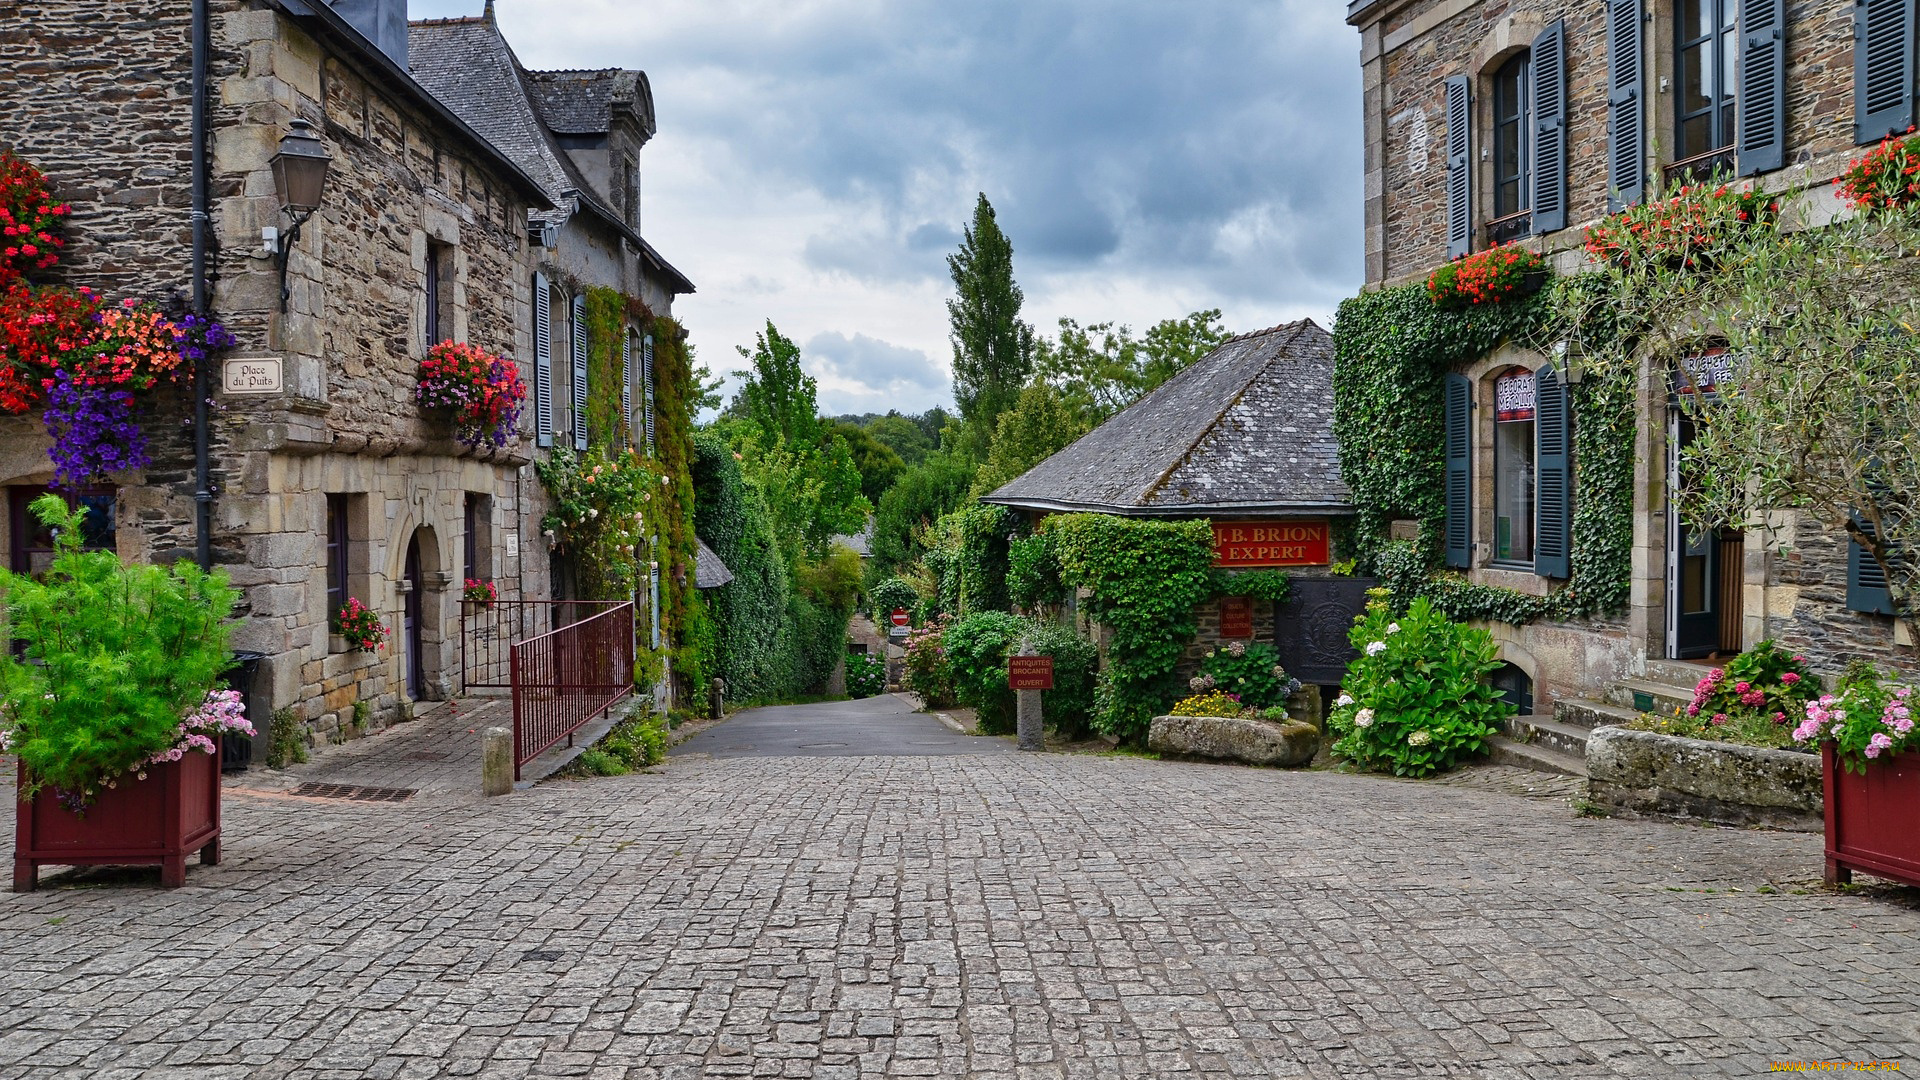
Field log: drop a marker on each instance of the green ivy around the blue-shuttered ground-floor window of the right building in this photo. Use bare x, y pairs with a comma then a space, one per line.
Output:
1395, 347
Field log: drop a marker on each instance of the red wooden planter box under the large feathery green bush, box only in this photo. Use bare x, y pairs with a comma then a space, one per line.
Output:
162, 820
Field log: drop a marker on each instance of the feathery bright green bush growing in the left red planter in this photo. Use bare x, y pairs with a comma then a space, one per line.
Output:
116, 658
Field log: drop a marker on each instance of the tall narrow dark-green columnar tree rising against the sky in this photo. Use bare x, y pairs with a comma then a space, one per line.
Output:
994, 347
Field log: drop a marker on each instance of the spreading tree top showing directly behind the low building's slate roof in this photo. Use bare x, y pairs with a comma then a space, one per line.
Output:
1103, 368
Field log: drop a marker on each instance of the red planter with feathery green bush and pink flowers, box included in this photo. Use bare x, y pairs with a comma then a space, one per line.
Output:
112, 710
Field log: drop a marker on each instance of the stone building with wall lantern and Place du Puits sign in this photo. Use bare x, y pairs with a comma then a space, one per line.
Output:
327, 481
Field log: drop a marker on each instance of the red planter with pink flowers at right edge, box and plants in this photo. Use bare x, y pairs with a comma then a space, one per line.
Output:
1873, 775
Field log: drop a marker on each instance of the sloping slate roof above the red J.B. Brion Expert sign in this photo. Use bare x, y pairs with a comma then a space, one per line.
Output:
1247, 430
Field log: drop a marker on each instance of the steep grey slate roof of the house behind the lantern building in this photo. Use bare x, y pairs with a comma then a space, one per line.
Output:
471, 70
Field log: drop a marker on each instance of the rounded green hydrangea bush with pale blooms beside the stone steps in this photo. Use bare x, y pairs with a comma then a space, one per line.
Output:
1416, 700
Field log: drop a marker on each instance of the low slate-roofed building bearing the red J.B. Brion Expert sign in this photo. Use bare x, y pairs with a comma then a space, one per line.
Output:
1243, 439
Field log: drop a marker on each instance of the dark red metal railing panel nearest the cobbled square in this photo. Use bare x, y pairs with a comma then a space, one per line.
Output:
567, 677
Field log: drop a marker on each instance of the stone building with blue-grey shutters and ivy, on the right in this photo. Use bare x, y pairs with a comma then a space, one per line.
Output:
1527, 122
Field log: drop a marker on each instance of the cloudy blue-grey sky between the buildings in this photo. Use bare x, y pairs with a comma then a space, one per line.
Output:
819, 159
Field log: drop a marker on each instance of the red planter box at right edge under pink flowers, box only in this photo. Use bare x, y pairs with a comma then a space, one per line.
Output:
1871, 820
